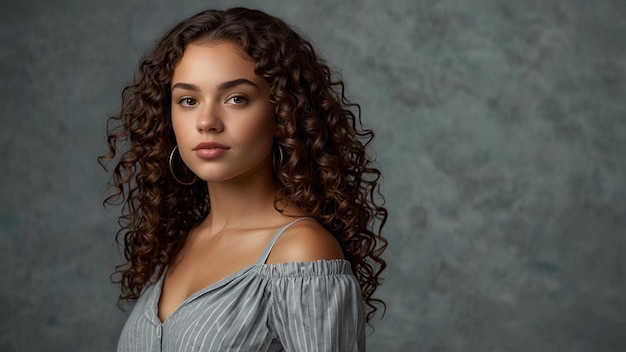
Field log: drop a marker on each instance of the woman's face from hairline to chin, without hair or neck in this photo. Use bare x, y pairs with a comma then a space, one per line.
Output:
222, 118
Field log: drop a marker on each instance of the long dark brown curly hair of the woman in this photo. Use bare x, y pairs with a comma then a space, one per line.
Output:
323, 166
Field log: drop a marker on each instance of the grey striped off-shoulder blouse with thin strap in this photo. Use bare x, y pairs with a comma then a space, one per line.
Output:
303, 306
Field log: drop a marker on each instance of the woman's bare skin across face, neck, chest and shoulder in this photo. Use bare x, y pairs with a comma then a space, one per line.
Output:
224, 127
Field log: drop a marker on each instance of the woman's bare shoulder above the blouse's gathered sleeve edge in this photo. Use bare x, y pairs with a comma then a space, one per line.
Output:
305, 241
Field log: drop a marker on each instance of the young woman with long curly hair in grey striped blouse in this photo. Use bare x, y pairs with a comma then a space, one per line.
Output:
251, 217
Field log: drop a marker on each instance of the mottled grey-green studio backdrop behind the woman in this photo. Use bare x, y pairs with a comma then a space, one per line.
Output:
501, 130
